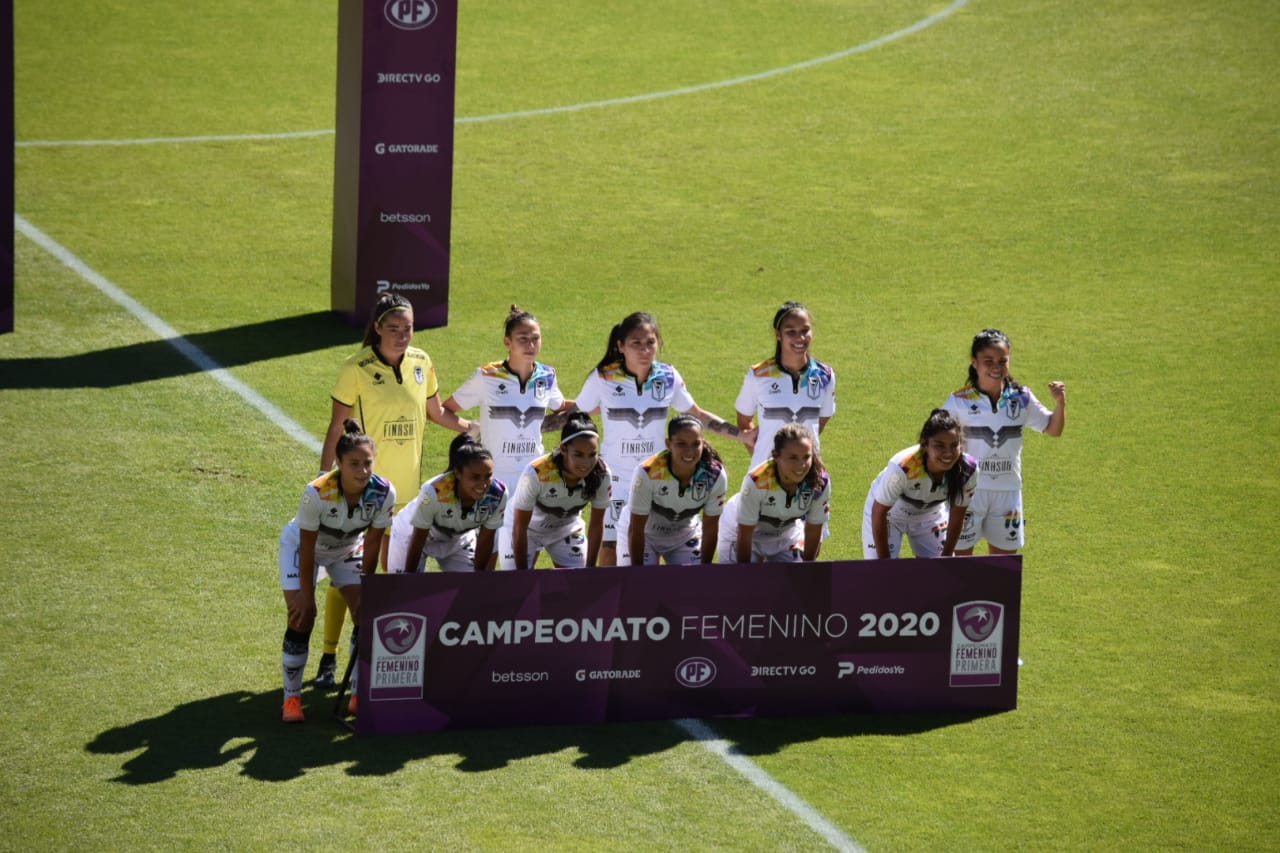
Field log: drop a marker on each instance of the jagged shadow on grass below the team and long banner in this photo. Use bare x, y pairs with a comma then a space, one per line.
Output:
222, 729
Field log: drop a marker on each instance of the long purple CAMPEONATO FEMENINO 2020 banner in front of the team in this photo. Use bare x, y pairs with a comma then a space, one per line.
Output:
463, 650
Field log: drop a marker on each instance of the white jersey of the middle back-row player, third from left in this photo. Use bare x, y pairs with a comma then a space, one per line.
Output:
634, 417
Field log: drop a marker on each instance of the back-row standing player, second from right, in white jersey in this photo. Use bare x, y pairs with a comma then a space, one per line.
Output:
793, 387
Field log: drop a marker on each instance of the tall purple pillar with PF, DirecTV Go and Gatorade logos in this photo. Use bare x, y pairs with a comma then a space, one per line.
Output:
394, 175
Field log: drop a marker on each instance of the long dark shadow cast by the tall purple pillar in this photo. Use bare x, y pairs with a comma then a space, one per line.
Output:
164, 359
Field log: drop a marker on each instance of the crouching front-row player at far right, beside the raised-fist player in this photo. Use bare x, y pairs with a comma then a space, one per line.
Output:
922, 494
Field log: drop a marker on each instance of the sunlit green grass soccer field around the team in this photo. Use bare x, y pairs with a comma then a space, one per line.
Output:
1100, 181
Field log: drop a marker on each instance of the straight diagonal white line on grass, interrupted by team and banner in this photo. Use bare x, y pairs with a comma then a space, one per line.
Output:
696, 729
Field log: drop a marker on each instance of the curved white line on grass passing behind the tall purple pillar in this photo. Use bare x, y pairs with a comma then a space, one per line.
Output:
924, 24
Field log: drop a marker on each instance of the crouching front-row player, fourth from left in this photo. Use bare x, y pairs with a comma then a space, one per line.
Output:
676, 500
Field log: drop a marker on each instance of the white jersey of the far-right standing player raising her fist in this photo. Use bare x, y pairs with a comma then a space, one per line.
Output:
994, 432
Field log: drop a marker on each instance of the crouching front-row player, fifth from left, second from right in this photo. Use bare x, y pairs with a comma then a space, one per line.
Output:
783, 507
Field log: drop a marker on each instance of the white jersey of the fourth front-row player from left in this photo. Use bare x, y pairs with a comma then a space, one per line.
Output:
673, 513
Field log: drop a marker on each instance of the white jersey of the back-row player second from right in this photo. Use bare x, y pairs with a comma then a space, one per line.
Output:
775, 398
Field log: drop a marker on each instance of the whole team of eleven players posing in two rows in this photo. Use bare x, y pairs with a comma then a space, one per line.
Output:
659, 491
